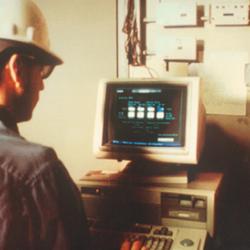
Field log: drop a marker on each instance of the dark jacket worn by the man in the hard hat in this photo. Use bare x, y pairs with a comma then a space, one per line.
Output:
40, 206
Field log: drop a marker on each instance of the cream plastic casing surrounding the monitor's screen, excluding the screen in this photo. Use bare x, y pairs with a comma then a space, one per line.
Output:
187, 154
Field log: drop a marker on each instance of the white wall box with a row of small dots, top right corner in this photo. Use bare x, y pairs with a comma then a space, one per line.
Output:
230, 13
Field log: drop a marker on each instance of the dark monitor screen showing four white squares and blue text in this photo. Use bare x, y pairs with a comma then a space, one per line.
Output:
145, 115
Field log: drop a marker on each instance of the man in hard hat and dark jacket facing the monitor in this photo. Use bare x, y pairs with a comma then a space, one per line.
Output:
40, 207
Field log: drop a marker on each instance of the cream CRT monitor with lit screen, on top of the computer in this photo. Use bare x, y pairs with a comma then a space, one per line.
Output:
160, 120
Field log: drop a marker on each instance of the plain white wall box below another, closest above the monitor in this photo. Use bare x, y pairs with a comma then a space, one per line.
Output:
173, 48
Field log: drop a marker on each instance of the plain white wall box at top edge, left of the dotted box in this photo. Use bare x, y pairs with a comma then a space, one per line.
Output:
176, 13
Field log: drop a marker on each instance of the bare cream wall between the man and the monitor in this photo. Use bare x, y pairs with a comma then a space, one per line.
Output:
83, 33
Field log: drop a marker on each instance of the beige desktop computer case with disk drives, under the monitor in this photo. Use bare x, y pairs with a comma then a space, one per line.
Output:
191, 205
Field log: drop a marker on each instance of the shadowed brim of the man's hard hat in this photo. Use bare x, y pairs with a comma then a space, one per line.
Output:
46, 57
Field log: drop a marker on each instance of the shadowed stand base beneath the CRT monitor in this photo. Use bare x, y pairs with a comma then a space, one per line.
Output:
150, 172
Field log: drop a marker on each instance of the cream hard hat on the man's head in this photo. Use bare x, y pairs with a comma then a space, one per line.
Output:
23, 26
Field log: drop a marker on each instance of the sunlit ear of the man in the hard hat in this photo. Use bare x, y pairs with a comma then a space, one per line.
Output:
15, 73
